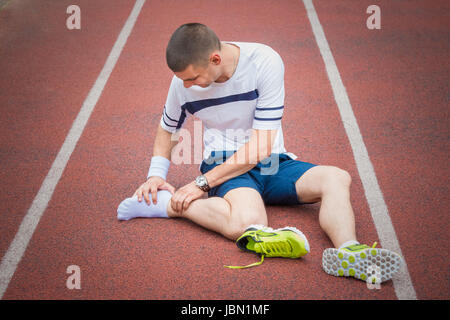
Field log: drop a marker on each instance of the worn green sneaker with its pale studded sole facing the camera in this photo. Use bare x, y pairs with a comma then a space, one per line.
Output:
370, 264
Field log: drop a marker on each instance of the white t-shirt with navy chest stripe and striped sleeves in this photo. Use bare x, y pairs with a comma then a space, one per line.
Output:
252, 98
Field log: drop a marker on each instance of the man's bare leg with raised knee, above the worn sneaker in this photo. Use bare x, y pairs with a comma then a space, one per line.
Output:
331, 186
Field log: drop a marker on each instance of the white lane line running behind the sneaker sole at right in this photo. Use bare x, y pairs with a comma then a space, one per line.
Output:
404, 288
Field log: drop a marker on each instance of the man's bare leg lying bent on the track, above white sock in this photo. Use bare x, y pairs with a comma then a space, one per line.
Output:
230, 215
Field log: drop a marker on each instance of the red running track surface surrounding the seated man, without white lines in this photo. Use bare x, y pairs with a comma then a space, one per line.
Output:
396, 79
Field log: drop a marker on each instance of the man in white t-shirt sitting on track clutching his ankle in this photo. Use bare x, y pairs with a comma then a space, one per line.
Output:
231, 87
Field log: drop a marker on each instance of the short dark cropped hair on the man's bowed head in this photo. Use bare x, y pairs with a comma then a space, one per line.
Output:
191, 43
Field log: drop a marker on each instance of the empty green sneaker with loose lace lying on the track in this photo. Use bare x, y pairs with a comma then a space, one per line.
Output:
286, 242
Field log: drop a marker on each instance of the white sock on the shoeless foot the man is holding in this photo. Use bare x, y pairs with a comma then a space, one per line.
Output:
131, 208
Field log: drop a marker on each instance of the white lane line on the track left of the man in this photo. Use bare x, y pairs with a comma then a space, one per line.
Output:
30, 221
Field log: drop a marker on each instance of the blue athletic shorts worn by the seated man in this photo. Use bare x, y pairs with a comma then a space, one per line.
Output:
274, 178
